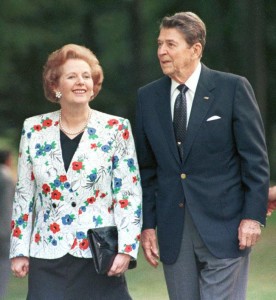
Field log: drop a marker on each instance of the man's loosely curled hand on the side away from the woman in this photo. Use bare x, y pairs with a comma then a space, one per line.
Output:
248, 233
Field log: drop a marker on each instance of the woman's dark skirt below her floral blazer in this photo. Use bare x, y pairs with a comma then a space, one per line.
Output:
72, 278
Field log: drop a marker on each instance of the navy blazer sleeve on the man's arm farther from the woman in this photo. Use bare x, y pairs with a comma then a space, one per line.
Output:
251, 146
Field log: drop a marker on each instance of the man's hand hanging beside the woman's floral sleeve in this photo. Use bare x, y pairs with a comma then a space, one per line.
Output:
149, 245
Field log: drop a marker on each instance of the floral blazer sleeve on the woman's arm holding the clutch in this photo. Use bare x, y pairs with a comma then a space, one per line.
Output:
127, 192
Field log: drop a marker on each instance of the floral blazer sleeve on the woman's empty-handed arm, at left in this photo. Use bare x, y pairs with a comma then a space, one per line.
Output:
23, 201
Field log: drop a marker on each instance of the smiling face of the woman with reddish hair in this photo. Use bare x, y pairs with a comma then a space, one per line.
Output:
75, 83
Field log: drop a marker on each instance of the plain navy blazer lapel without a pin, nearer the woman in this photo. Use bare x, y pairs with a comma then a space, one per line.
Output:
163, 107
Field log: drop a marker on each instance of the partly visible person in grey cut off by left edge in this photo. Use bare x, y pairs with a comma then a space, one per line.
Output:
6, 198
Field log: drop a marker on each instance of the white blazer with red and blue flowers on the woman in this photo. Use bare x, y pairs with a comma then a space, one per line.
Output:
53, 209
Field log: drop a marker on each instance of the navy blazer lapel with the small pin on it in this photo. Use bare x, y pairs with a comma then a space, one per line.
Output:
201, 104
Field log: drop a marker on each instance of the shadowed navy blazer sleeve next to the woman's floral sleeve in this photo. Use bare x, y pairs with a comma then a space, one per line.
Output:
148, 165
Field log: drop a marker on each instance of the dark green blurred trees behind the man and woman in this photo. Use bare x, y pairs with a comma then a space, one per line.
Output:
122, 33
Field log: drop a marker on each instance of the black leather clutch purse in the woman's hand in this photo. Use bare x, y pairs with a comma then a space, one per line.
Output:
103, 243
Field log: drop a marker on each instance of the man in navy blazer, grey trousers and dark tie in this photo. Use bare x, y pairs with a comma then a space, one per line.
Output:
205, 188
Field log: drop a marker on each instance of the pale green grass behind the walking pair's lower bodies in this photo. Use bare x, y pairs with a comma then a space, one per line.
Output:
147, 283
